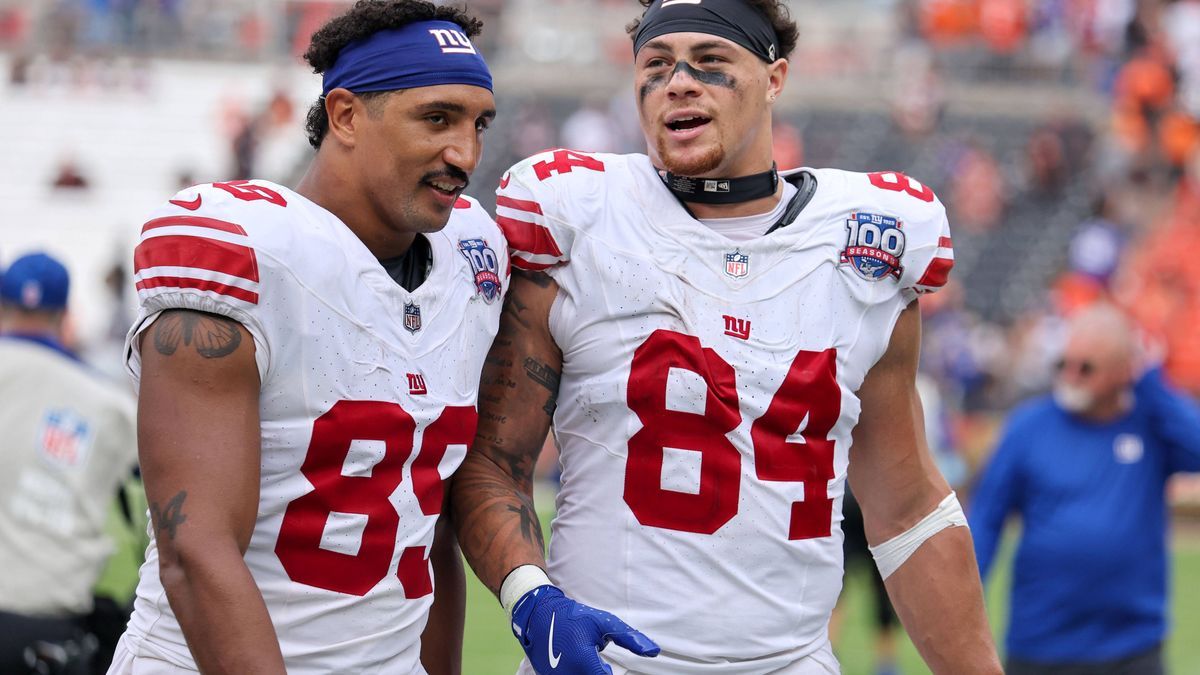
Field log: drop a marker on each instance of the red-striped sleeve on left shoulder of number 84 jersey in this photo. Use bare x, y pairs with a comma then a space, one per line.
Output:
543, 200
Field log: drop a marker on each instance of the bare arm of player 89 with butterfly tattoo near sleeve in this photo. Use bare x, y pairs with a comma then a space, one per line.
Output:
199, 441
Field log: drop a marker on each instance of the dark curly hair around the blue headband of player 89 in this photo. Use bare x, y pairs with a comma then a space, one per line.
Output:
367, 19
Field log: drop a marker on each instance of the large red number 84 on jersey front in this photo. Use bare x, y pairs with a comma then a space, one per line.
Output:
791, 440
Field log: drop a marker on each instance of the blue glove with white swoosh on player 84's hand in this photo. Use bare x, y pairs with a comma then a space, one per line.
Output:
562, 637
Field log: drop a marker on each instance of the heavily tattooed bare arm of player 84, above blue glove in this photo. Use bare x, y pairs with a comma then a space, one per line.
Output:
493, 493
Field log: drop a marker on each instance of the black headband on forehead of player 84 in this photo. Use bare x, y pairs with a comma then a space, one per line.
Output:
731, 20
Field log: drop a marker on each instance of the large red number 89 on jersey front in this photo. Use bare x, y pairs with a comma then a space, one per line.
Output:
299, 545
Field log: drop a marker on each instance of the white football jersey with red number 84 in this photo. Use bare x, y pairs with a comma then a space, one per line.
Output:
707, 396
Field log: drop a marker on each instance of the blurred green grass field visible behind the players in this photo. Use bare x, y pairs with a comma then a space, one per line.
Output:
491, 650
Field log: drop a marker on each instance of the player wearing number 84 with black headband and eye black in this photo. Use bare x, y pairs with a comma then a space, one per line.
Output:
727, 345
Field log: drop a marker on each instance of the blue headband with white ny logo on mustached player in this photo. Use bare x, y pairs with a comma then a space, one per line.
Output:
419, 55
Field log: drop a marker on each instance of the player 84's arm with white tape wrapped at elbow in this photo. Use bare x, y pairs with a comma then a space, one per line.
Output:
907, 505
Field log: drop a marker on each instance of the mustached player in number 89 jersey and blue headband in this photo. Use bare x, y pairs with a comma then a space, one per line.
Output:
309, 362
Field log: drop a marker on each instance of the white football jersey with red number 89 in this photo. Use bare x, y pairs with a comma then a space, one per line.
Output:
368, 405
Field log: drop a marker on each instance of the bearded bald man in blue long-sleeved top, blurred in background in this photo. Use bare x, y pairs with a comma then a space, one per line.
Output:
1087, 470
